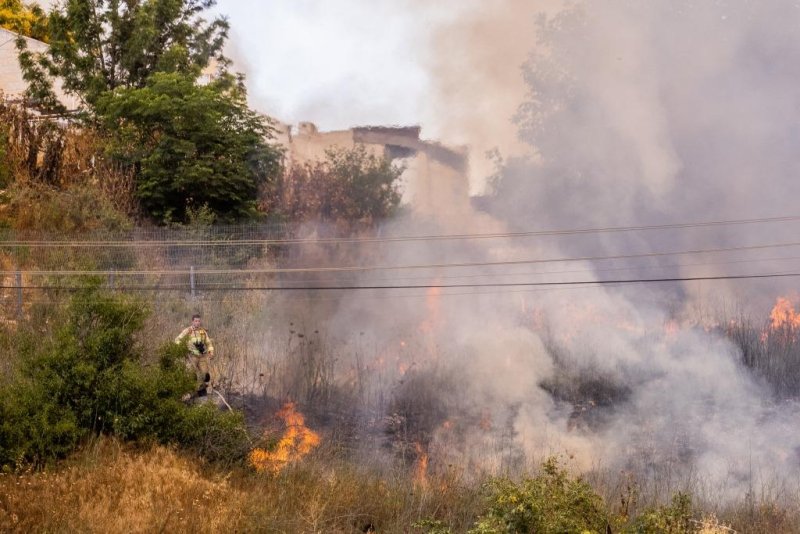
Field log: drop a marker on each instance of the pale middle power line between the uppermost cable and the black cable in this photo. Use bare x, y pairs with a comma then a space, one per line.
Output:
402, 267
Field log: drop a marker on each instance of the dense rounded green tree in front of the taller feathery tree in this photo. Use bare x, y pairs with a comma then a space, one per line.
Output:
190, 145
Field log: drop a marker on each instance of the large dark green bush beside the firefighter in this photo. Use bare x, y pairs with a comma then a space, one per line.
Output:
86, 377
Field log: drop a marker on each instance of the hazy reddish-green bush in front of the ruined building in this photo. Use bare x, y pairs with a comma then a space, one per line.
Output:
349, 185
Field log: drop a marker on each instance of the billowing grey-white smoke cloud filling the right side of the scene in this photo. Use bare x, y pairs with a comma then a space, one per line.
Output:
636, 114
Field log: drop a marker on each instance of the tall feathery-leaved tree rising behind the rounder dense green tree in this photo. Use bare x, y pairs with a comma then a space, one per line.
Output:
101, 45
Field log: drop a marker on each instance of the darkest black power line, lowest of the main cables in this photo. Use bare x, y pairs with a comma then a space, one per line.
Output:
425, 286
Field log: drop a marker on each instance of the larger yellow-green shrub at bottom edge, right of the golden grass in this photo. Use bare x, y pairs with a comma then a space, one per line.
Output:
552, 502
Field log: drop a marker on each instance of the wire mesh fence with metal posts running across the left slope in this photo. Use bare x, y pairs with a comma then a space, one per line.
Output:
181, 260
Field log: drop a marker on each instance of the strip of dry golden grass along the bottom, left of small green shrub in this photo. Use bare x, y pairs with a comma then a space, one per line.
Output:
109, 487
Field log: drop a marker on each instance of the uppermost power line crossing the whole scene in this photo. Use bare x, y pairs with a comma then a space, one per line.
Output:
431, 237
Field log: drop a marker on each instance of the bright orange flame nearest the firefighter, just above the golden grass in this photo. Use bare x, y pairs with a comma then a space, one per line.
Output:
296, 442
